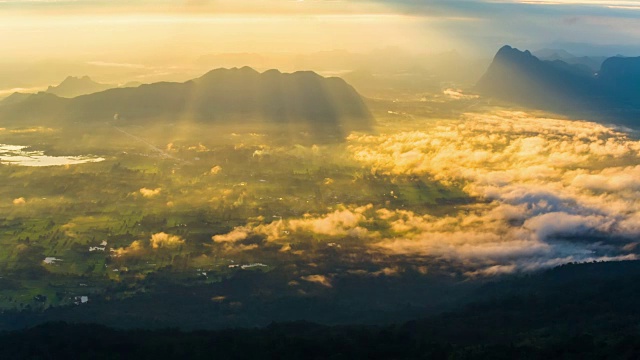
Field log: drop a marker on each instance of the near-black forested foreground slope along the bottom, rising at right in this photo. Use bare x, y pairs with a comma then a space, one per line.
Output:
586, 311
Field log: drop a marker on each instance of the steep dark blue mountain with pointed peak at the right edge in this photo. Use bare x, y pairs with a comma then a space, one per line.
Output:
611, 94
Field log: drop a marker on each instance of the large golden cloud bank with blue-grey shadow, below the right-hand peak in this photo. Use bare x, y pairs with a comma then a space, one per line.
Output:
548, 188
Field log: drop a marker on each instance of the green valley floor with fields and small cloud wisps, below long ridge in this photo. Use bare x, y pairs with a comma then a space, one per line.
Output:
95, 222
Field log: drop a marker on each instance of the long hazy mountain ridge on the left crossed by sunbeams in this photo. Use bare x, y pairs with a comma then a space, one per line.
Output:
221, 95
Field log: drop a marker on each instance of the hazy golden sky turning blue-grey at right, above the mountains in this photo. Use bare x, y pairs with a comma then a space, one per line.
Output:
116, 41
